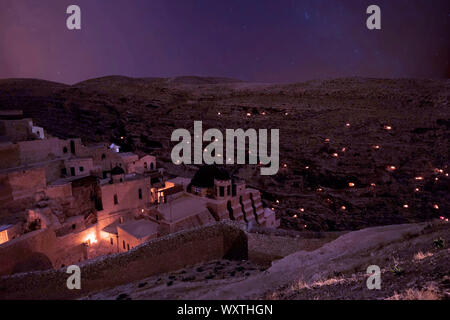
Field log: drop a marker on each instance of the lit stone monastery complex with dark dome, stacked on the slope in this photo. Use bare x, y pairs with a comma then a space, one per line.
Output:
67, 202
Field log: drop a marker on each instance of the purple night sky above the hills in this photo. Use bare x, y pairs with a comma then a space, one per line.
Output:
252, 40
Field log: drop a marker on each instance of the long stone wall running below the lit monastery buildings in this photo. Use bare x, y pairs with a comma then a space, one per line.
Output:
222, 240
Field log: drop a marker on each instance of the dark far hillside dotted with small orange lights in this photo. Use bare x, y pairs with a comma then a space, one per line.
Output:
354, 152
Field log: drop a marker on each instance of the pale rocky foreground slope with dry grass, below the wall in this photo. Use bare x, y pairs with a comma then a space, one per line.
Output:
413, 260
